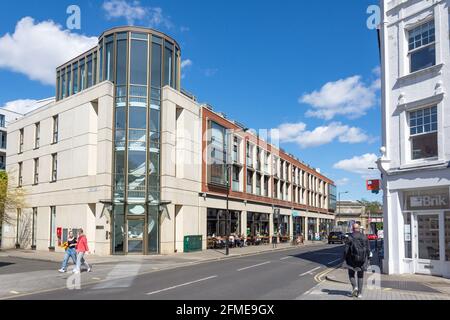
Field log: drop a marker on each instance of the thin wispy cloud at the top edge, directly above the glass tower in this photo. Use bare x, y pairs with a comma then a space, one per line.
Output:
133, 11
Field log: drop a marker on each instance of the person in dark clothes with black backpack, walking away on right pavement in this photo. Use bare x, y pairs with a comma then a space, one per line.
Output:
356, 256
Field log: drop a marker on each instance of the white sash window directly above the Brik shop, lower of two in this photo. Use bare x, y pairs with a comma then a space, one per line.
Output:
423, 131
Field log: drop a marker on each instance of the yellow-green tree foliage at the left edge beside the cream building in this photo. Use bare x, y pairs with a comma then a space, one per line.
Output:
11, 199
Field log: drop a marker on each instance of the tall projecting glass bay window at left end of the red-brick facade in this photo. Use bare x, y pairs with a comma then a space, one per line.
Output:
217, 155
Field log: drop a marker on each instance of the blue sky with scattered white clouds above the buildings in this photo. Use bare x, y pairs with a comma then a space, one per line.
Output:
263, 63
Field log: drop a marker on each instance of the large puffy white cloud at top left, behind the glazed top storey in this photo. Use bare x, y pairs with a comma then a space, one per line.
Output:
36, 49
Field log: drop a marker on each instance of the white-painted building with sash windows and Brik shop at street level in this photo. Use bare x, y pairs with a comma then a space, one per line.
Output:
415, 51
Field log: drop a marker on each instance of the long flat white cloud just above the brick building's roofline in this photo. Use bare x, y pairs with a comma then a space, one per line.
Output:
296, 132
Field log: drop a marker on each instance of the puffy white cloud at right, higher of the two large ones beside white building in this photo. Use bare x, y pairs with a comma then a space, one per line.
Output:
348, 97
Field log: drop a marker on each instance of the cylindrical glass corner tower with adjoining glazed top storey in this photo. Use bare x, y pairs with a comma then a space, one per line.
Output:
139, 62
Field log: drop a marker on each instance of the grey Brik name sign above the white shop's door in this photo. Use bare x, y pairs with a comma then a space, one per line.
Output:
428, 199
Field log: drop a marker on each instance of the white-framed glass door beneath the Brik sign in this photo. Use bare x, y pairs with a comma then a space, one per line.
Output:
428, 244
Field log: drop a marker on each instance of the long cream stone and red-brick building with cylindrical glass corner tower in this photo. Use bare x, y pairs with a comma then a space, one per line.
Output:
141, 166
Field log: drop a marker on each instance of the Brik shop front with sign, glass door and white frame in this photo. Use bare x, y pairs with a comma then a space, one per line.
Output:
427, 231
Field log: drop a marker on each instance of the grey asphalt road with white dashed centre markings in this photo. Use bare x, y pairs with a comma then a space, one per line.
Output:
277, 275
